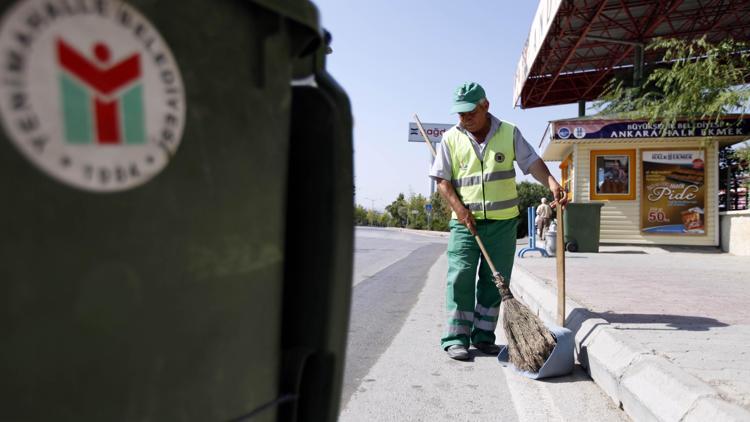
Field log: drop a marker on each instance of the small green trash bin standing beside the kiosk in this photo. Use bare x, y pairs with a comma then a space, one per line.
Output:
582, 225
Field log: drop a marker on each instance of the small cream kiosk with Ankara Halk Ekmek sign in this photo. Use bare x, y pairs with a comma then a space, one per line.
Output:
658, 185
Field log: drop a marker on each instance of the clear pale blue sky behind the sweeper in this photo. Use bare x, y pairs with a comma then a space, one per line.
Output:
397, 58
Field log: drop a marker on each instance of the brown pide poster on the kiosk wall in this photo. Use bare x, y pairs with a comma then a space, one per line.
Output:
673, 197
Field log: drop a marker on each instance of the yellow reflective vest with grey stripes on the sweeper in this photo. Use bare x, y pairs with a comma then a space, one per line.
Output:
486, 186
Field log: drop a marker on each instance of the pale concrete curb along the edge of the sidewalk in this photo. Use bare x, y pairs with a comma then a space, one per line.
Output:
648, 387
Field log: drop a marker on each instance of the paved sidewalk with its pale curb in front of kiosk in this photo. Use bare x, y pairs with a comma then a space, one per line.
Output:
664, 331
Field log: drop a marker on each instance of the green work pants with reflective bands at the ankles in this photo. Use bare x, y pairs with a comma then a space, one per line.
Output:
473, 306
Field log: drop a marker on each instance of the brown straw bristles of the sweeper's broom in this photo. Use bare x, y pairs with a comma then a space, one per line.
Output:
529, 342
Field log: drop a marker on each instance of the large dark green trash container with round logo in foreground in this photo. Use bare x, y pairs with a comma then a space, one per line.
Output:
158, 173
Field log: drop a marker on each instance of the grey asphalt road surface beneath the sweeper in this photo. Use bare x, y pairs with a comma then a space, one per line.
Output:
395, 369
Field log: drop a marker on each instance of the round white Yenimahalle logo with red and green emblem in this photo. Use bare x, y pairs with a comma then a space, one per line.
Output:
92, 94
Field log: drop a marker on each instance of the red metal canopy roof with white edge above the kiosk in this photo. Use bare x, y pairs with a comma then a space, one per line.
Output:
575, 46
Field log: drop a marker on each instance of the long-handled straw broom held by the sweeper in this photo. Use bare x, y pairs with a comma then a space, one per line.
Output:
529, 342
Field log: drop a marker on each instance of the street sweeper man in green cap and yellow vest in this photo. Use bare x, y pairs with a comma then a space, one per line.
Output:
474, 172
